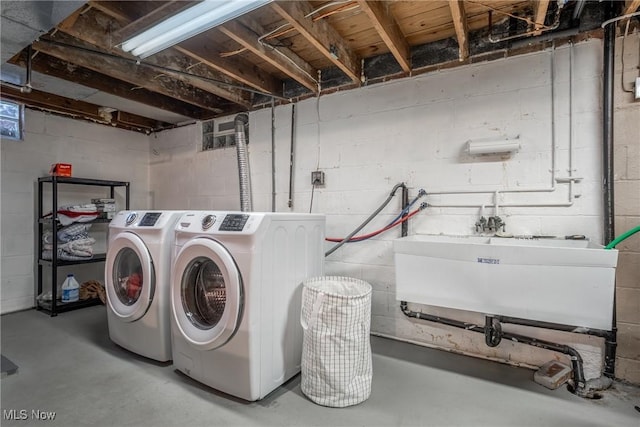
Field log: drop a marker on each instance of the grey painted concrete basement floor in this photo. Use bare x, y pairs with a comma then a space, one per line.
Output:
68, 365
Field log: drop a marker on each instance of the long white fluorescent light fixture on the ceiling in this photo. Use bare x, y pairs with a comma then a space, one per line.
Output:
188, 23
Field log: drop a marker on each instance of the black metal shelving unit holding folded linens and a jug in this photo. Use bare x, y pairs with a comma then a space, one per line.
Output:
54, 307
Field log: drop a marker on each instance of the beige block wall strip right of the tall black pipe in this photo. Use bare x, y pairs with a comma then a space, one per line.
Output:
627, 206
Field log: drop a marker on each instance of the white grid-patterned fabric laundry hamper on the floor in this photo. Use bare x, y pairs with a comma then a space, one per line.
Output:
336, 347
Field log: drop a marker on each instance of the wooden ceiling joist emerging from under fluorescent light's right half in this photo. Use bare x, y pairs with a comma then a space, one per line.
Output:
245, 32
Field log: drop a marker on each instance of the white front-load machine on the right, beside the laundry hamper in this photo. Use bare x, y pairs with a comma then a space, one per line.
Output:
236, 296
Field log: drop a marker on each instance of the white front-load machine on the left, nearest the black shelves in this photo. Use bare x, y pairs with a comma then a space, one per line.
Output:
137, 275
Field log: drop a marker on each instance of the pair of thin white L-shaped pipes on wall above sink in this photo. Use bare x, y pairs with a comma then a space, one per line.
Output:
570, 180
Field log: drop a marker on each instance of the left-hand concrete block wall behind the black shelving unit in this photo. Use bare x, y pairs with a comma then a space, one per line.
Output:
94, 151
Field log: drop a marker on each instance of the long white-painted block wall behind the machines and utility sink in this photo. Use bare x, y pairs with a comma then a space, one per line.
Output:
414, 131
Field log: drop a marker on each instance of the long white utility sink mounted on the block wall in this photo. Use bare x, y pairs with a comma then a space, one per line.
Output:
569, 282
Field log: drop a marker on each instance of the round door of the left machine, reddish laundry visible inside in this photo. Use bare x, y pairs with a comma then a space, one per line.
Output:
130, 277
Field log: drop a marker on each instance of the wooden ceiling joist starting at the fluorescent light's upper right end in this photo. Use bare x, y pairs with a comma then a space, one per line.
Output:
321, 35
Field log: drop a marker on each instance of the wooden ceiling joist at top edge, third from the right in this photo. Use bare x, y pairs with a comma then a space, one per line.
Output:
386, 25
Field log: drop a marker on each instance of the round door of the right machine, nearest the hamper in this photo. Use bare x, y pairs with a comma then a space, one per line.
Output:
206, 295
